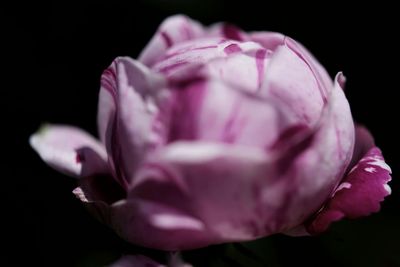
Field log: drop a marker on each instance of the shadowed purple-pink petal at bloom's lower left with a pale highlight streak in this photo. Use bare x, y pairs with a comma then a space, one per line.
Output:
158, 226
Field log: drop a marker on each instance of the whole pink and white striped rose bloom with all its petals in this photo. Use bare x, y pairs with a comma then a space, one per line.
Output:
216, 135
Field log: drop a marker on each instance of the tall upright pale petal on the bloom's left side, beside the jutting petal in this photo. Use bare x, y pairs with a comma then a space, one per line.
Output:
129, 93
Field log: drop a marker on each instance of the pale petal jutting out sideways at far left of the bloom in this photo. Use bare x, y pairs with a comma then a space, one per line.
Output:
70, 150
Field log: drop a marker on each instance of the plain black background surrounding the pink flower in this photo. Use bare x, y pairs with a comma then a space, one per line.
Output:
53, 57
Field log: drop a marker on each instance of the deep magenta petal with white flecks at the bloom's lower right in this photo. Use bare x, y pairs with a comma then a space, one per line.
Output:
359, 193
